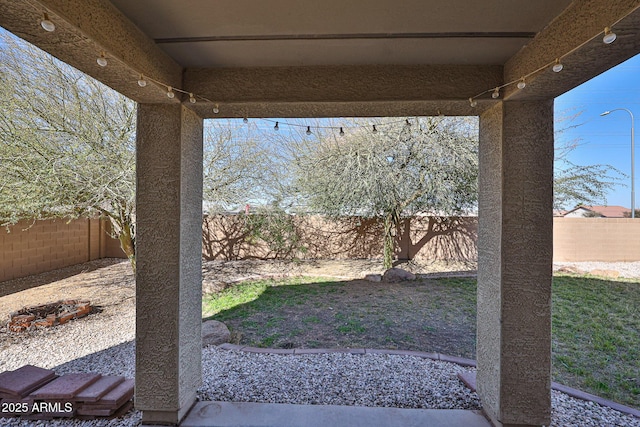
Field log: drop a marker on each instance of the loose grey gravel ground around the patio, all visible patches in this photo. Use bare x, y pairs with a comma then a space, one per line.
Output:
103, 343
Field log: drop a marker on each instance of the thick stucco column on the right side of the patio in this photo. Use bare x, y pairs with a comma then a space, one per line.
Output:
515, 246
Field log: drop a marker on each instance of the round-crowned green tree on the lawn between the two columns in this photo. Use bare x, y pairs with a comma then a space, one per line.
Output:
430, 166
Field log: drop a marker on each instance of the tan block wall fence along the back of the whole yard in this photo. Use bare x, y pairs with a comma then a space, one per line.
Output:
31, 248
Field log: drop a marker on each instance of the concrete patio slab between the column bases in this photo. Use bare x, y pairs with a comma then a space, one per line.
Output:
244, 414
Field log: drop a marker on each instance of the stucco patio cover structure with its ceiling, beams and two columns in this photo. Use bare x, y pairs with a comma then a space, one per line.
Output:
501, 60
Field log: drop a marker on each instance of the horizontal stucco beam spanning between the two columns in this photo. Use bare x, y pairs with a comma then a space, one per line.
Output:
274, 91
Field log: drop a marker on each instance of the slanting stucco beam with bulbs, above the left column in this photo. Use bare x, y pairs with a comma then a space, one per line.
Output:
85, 29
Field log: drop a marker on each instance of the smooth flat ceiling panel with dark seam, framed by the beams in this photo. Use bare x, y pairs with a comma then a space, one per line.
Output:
246, 33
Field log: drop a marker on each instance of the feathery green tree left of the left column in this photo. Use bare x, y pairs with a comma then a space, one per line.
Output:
66, 143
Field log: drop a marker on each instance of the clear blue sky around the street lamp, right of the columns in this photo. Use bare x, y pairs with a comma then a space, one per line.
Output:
605, 140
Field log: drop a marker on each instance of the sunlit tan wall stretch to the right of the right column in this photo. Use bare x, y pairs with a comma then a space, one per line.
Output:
596, 239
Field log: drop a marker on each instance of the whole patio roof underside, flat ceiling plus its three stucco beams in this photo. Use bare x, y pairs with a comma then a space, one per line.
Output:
333, 57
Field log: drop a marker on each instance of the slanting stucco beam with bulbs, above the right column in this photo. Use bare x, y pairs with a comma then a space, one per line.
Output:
575, 37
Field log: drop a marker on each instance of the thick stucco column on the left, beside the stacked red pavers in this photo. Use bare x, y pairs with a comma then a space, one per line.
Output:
169, 259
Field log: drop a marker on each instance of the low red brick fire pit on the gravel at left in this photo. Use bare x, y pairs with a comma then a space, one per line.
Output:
47, 315
